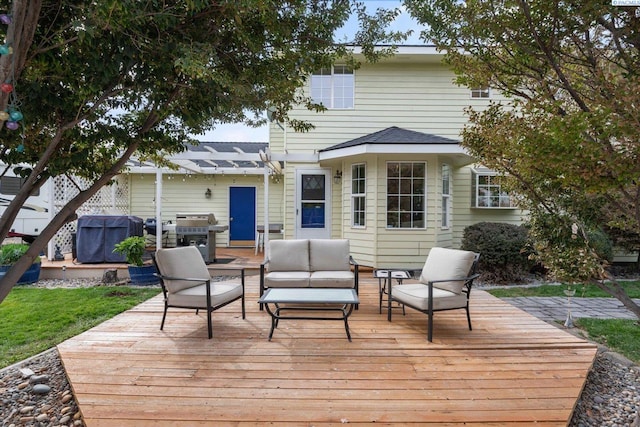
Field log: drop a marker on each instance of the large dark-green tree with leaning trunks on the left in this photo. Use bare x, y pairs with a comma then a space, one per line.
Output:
96, 81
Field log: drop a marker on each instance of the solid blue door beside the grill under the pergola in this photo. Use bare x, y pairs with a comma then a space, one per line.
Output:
242, 215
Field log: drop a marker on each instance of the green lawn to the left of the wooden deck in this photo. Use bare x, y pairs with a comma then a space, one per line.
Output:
36, 319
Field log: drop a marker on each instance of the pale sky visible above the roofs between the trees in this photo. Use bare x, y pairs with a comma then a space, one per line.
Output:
239, 132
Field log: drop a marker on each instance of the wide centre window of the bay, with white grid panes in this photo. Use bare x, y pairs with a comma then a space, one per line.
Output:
406, 189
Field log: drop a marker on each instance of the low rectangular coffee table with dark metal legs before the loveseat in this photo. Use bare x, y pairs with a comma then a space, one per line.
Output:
309, 299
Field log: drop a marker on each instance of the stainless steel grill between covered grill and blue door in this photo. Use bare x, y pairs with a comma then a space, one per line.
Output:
199, 229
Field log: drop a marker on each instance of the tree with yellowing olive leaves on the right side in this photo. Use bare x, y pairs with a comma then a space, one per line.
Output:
568, 135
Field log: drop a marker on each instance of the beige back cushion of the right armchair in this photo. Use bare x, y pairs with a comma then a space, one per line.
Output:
443, 263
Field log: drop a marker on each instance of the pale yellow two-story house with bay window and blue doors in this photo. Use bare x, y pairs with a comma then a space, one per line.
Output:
383, 167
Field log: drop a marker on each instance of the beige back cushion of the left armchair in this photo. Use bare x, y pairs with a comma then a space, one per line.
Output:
181, 262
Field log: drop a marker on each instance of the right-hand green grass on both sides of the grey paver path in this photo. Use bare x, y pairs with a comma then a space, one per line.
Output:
619, 335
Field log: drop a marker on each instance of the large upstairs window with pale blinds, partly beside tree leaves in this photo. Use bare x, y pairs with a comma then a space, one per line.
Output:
333, 87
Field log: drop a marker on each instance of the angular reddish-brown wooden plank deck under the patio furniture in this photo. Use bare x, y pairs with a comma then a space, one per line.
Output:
512, 369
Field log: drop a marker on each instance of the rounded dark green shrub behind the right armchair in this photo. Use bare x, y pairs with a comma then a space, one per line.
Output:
503, 248
